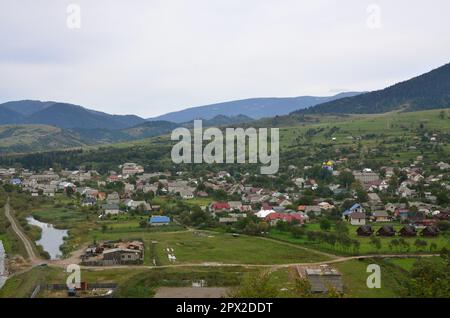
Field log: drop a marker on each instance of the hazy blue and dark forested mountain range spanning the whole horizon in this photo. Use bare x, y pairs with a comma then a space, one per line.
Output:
33, 125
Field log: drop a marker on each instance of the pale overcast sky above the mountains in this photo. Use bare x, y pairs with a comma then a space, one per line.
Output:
150, 57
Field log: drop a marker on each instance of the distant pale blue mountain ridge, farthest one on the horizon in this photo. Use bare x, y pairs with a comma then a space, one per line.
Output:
255, 108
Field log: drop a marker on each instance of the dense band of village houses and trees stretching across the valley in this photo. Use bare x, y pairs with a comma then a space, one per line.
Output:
420, 201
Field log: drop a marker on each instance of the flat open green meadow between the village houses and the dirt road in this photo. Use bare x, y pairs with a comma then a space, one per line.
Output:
212, 247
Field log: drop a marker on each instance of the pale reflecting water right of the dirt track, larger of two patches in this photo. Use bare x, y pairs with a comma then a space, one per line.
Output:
51, 238
